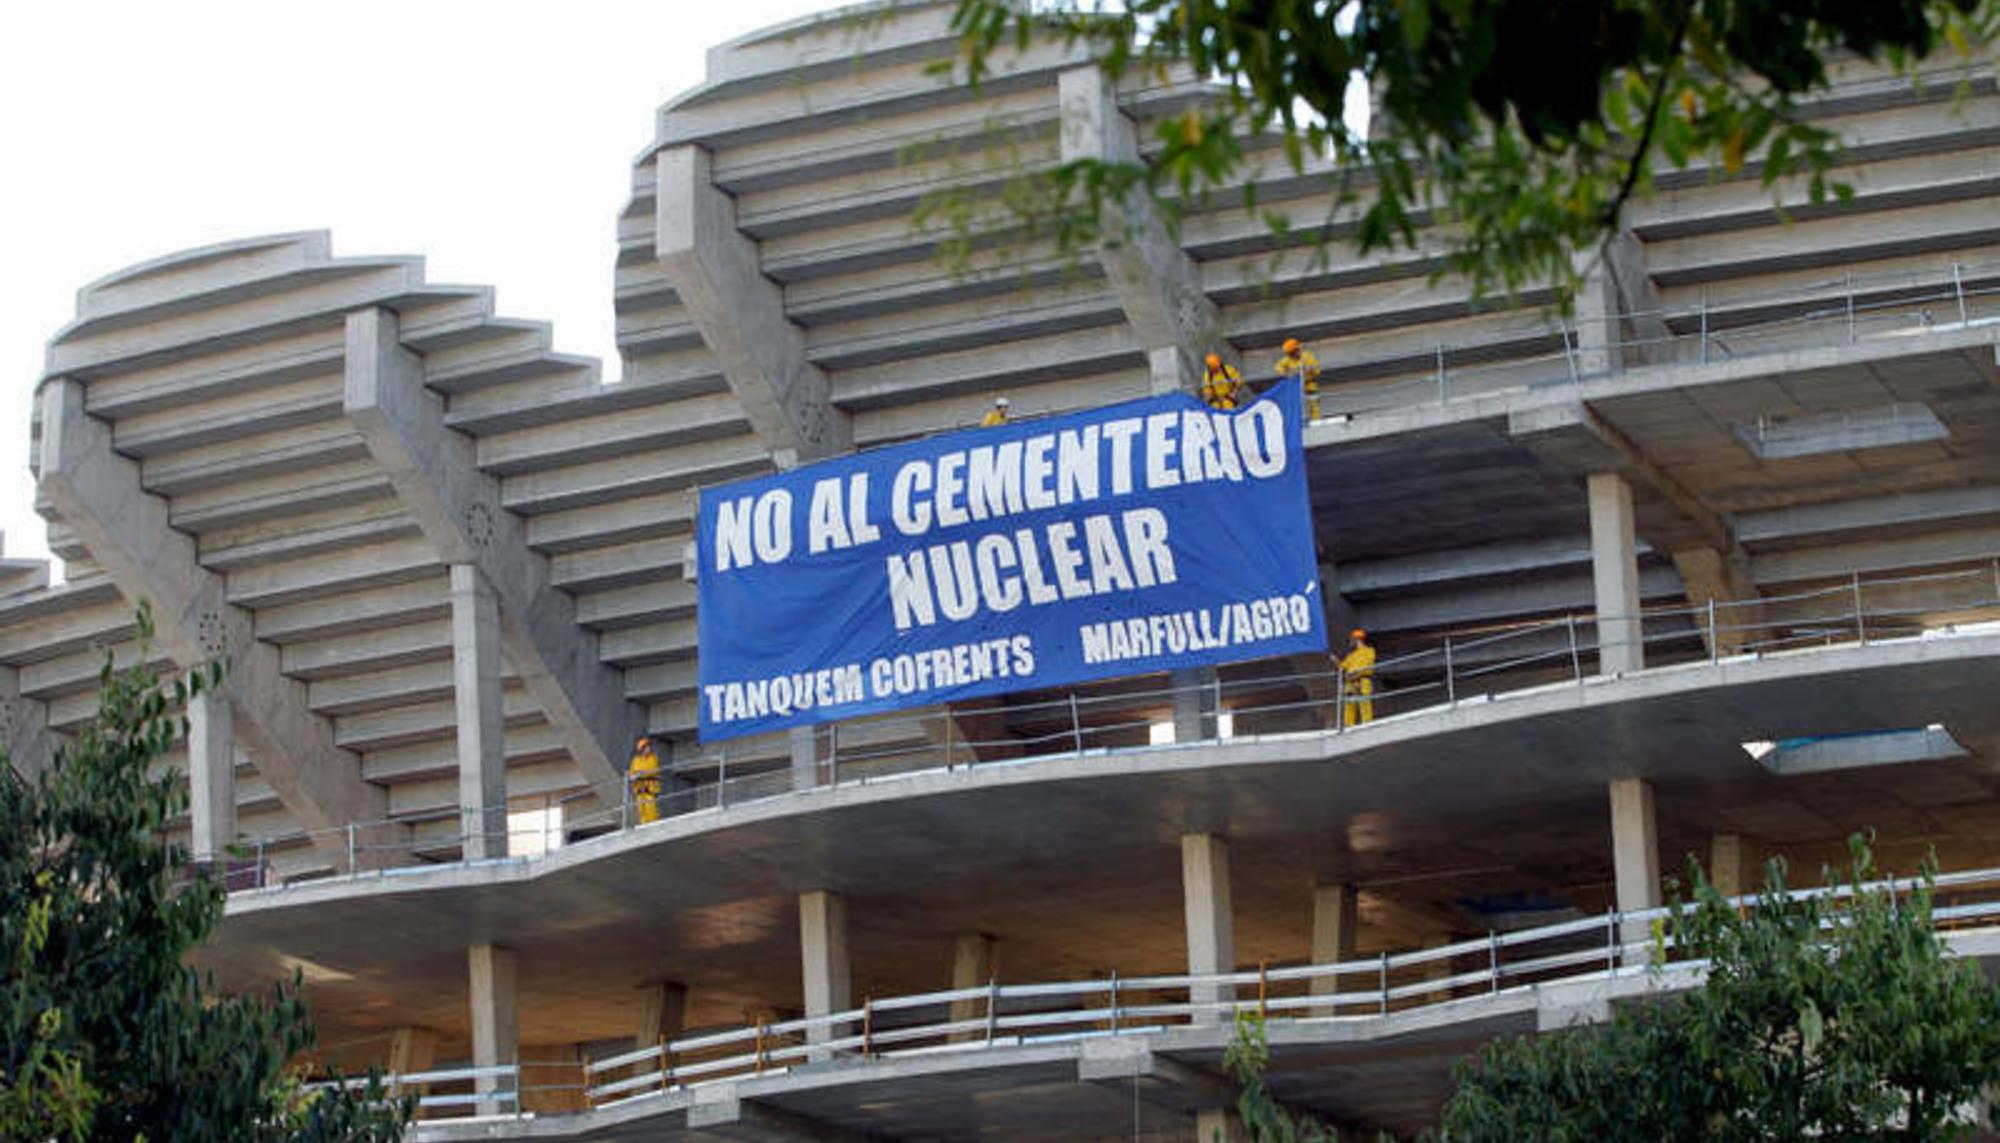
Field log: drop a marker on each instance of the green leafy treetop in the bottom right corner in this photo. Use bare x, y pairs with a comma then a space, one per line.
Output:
1831, 1016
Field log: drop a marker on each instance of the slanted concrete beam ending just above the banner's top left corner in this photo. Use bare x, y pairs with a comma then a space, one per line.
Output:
717, 273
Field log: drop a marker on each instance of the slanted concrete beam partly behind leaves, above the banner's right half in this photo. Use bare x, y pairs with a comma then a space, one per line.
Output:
1157, 283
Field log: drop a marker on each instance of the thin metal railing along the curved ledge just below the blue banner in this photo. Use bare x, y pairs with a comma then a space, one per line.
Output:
1473, 666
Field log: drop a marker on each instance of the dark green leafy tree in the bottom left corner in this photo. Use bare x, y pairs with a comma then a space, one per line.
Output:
105, 1032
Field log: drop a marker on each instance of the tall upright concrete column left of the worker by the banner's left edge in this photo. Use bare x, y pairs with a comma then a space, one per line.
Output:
481, 730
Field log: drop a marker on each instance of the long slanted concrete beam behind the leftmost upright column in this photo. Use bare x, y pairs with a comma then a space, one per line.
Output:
99, 495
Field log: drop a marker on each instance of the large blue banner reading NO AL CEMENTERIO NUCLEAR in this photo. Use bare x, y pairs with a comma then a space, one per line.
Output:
1135, 539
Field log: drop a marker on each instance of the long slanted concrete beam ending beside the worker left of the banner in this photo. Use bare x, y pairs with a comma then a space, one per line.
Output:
437, 479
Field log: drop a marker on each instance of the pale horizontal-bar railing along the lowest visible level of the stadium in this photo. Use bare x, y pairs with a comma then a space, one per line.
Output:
1345, 992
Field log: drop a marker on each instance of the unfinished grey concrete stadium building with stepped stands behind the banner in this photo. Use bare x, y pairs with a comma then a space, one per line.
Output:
1711, 569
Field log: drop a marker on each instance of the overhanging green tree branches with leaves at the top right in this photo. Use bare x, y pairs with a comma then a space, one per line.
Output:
1519, 125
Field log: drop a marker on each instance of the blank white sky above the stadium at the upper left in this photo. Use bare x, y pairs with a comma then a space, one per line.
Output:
491, 137
